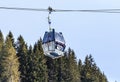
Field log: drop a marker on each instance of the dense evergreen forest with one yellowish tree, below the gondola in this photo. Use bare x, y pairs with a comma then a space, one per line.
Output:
22, 63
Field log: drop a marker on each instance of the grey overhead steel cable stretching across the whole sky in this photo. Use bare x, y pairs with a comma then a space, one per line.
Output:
60, 10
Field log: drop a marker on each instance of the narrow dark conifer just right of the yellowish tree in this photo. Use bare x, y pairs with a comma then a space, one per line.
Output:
22, 54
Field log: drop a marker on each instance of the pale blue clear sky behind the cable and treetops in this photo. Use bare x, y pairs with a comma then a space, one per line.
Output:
87, 33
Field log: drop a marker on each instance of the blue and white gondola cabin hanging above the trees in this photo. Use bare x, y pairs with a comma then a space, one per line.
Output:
53, 44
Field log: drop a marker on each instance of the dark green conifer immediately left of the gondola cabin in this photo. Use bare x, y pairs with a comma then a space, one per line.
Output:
39, 70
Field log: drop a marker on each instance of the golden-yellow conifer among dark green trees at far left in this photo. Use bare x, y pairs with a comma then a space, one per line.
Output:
9, 63
